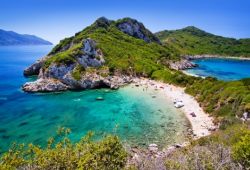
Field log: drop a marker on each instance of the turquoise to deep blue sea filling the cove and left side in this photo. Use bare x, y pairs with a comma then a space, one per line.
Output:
130, 112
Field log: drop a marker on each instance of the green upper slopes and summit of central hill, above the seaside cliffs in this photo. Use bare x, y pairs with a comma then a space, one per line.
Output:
122, 50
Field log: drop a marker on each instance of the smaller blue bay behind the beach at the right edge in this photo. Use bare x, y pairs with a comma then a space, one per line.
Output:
223, 69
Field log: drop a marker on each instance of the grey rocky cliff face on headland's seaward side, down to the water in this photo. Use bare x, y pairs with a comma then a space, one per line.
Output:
59, 77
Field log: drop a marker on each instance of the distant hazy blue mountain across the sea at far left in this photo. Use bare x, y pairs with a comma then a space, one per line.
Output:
13, 38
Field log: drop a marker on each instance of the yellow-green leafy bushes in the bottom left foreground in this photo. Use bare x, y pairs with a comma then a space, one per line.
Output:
85, 154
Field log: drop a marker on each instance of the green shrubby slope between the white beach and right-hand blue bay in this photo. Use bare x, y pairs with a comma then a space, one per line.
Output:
224, 100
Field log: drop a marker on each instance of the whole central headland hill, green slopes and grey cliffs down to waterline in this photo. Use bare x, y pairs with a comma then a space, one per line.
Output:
99, 55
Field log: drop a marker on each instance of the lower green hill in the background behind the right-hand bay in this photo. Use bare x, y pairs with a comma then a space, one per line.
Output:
193, 41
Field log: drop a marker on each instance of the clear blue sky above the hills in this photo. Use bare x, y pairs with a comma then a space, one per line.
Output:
54, 20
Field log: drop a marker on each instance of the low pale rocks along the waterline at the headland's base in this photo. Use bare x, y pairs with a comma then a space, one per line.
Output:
88, 81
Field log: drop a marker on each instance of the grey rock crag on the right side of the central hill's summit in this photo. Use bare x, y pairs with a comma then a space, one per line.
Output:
136, 29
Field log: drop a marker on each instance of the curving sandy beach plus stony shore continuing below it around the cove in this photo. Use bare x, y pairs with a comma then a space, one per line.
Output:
201, 125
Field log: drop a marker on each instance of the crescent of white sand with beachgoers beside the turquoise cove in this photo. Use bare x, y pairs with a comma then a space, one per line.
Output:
201, 123
